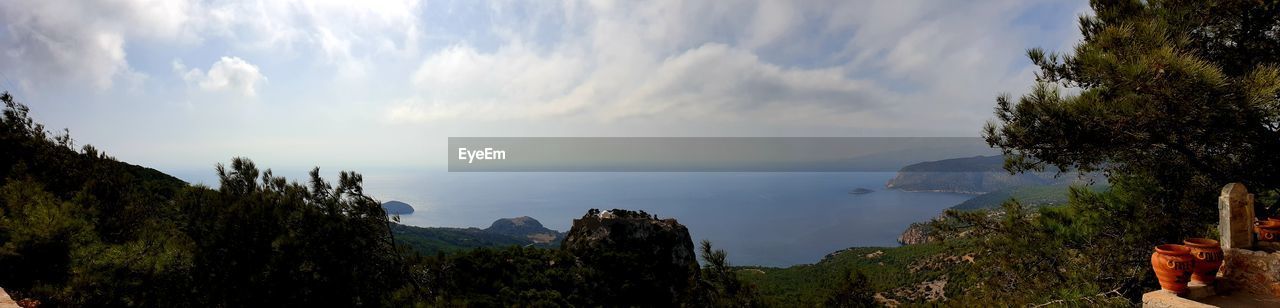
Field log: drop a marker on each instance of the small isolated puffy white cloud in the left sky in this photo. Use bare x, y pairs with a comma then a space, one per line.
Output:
228, 73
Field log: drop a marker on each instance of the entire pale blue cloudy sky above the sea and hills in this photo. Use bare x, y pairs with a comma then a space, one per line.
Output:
181, 85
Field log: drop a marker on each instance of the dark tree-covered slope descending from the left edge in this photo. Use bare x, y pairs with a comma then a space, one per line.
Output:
80, 228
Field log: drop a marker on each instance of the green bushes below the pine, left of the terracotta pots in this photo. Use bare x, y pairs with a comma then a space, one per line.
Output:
1094, 251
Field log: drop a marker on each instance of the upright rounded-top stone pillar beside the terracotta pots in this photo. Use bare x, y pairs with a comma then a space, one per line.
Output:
1236, 218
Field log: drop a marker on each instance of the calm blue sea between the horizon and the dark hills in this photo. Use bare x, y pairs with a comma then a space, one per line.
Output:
765, 219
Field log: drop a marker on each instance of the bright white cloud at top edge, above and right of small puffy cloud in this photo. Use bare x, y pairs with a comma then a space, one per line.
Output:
346, 35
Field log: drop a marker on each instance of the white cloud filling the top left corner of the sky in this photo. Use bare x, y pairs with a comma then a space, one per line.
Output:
47, 43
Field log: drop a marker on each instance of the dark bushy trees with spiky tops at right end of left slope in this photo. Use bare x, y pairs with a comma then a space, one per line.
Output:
294, 245
